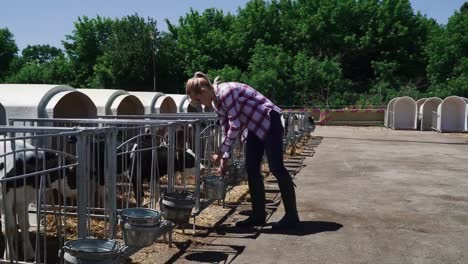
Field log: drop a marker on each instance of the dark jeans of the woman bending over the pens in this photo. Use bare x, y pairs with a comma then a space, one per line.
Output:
273, 147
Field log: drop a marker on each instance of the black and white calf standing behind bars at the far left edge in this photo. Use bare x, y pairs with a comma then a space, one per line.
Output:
22, 173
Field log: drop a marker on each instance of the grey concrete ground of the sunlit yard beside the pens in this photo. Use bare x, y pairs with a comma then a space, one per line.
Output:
368, 195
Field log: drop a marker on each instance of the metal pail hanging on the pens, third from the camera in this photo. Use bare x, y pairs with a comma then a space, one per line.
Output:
177, 206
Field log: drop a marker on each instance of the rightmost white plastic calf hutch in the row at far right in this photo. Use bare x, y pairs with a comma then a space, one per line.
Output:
451, 114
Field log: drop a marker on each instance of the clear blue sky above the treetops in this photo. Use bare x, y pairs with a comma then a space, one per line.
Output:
48, 21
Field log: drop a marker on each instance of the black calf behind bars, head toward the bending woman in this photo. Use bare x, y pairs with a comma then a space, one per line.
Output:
184, 163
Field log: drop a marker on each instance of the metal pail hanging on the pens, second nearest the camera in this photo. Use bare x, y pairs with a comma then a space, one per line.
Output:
140, 226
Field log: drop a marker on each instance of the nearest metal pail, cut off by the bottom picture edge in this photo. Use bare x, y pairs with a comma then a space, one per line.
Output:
91, 251
